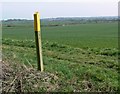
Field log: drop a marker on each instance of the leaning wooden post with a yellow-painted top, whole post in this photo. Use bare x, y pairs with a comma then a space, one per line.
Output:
38, 41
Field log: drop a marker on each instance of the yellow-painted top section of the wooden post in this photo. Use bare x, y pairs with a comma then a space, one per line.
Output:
36, 21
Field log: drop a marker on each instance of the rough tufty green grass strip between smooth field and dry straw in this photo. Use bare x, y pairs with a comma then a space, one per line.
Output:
77, 69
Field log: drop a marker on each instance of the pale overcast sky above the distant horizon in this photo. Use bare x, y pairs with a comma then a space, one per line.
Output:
73, 8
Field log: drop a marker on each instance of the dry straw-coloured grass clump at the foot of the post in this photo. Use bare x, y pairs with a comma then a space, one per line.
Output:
21, 78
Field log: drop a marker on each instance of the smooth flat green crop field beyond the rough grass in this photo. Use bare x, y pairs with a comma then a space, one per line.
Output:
102, 35
